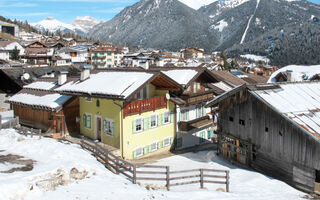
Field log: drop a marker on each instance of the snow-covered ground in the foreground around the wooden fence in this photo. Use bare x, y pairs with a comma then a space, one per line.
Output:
65, 171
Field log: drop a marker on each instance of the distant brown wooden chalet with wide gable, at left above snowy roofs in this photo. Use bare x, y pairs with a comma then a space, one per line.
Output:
37, 54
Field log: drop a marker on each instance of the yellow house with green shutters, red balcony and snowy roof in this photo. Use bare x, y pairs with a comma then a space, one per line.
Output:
128, 110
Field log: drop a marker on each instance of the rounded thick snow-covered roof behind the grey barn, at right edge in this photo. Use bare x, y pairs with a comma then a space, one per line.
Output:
298, 72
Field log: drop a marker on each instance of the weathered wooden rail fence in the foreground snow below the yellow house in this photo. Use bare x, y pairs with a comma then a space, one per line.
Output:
157, 173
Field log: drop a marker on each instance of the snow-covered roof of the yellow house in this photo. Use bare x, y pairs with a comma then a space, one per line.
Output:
121, 84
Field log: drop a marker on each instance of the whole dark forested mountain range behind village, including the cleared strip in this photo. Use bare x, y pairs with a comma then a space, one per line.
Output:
266, 27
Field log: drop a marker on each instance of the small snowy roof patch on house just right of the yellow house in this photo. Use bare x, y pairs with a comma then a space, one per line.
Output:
181, 76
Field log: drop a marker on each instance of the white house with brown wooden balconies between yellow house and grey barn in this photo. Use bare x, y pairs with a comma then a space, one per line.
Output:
194, 121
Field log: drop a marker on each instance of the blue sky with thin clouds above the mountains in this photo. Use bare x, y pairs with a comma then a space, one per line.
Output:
65, 10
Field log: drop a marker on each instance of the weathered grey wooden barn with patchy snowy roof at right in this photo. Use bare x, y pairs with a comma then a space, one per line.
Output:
275, 129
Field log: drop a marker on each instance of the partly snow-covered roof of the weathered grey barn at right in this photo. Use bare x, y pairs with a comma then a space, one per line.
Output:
300, 102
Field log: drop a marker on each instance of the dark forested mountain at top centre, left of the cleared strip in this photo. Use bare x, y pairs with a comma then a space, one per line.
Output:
166, 24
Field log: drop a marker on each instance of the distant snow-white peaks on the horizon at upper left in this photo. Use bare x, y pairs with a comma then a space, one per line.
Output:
81, 25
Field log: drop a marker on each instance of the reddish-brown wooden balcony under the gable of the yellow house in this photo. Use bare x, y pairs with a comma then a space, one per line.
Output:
138, 107
